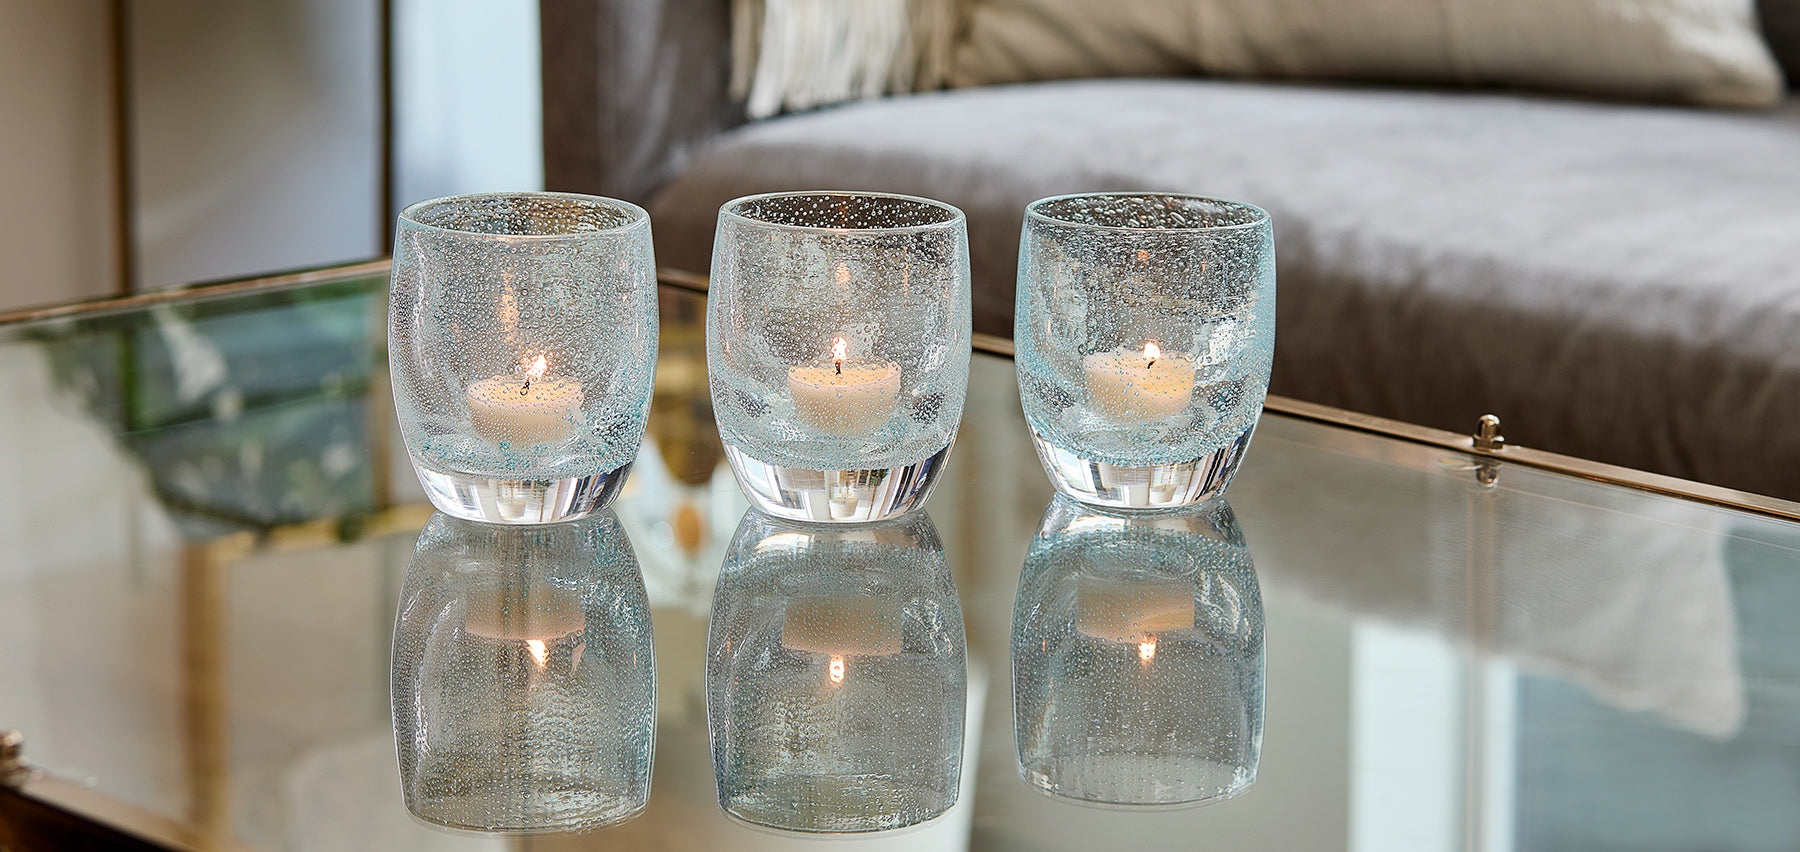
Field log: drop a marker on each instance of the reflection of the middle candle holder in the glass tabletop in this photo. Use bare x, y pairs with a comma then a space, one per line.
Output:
836, 680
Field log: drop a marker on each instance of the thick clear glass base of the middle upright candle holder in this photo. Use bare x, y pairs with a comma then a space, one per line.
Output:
836, 496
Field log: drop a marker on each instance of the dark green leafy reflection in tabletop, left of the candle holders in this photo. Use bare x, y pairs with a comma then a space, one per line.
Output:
249, 410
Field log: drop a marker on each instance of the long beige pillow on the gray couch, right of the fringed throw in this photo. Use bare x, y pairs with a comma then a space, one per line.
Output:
1687, 51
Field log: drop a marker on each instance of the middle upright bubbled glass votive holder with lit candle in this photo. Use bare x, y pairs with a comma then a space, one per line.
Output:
838, 349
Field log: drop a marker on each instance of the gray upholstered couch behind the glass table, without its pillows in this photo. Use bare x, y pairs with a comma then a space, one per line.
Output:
1617, 282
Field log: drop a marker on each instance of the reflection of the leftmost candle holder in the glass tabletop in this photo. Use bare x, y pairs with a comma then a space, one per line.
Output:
523, 678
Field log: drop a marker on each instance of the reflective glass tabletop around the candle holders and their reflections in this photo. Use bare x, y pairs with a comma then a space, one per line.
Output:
208, 521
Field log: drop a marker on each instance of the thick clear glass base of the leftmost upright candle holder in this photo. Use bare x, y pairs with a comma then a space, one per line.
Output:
521, 502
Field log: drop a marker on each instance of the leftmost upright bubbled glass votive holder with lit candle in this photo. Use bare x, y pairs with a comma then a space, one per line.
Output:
523, 338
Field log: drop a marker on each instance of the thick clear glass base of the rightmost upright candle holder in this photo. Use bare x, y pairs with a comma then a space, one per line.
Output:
1171, 485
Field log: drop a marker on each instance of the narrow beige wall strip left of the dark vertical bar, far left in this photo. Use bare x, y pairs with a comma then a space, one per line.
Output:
55, 141
